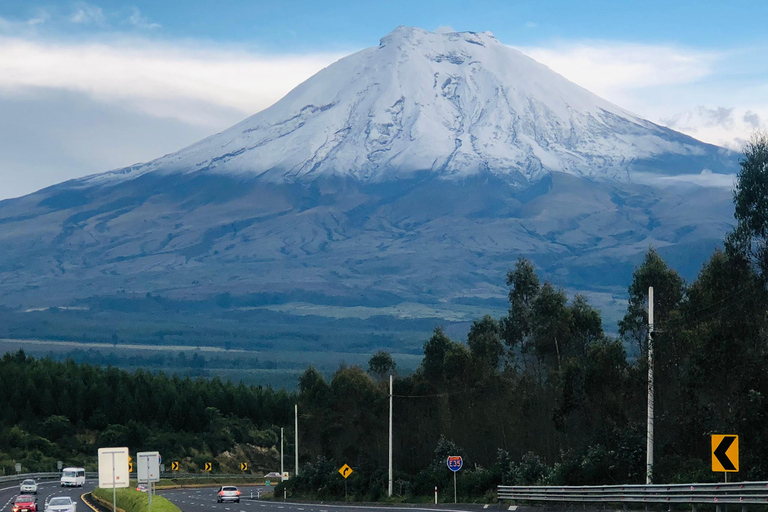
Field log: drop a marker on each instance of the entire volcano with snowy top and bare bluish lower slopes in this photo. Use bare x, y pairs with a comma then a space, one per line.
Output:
416, 171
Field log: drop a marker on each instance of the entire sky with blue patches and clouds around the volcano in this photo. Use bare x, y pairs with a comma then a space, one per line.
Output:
87, 86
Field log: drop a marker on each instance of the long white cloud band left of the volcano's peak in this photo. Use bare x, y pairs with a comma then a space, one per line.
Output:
159, 79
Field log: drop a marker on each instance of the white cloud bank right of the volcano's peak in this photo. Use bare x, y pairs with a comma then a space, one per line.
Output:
703, 93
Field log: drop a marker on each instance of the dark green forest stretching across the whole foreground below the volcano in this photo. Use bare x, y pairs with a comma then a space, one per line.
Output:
539, 396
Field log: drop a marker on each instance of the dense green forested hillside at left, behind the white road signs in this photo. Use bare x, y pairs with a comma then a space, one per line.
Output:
64, 411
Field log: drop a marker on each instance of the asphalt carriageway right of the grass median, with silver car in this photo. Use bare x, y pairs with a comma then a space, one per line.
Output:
204, 499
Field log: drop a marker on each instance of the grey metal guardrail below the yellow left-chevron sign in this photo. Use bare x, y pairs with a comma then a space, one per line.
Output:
738, 493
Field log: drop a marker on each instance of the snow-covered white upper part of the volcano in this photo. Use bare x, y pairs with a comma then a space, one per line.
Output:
451, 103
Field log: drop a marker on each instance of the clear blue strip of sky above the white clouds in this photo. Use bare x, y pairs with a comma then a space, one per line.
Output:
303, 25
